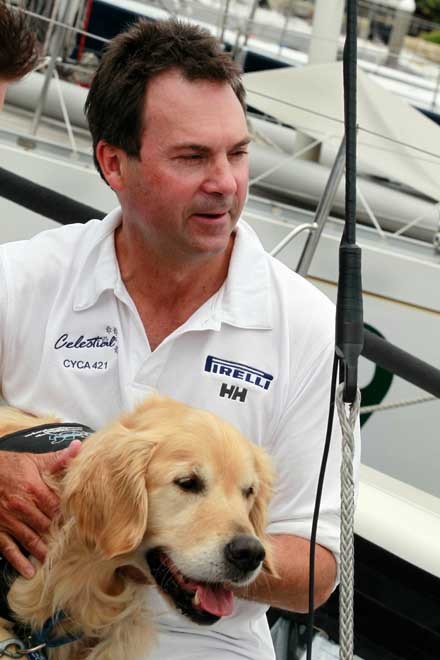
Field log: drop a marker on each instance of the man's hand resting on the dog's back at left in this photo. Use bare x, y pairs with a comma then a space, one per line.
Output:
27, 504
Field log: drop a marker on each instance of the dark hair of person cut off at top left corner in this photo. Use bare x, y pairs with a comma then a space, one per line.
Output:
18, 45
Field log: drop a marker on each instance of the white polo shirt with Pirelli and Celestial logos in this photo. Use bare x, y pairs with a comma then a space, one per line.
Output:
259, 353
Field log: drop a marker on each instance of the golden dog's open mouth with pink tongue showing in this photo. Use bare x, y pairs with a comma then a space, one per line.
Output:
203, 602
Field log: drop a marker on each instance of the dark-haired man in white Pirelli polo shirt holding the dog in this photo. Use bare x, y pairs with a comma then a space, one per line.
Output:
172, 292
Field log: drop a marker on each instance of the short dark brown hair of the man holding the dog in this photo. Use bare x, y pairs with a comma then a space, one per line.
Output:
115, 102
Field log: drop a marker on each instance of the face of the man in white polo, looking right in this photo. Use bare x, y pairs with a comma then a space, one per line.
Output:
186, 193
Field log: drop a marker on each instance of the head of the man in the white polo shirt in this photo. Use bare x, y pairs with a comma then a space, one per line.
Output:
166, 111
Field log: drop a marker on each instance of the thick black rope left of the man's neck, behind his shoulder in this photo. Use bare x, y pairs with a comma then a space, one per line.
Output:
44, 201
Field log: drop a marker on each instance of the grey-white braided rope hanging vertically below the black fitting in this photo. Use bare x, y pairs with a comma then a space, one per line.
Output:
346, 588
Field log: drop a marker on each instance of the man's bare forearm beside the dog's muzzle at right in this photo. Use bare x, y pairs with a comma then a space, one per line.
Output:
289, 591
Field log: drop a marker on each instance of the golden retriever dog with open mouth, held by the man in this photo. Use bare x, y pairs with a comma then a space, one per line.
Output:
167, 495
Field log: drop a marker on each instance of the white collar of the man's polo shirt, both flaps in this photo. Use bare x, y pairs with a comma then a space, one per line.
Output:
244, 300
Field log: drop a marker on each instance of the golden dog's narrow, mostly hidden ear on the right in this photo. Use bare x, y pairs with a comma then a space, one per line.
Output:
258, 513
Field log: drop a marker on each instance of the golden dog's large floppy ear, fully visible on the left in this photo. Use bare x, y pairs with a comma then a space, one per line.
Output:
105, 490
